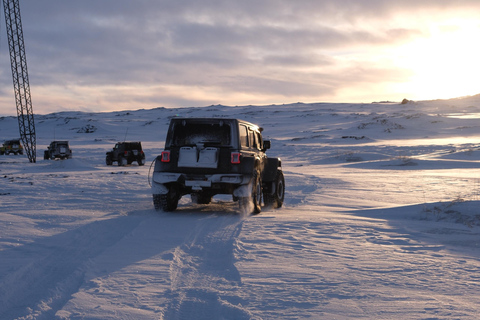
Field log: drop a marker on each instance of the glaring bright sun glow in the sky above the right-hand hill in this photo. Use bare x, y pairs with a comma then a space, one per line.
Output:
444, 65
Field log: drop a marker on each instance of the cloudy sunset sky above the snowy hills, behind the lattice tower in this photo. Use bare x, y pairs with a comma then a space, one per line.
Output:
107, 55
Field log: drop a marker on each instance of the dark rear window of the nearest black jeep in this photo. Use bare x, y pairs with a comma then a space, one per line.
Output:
206, 133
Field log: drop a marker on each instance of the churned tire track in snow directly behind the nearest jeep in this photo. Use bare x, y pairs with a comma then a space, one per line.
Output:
203, 275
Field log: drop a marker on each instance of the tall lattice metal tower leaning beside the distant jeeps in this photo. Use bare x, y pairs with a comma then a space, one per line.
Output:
21, 84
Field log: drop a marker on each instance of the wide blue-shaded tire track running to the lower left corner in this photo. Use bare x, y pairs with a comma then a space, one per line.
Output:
34, 283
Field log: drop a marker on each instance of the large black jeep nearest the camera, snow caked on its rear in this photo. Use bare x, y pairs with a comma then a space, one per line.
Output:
208, 156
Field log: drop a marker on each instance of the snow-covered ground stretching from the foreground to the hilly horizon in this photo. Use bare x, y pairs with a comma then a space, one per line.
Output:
380, 221
